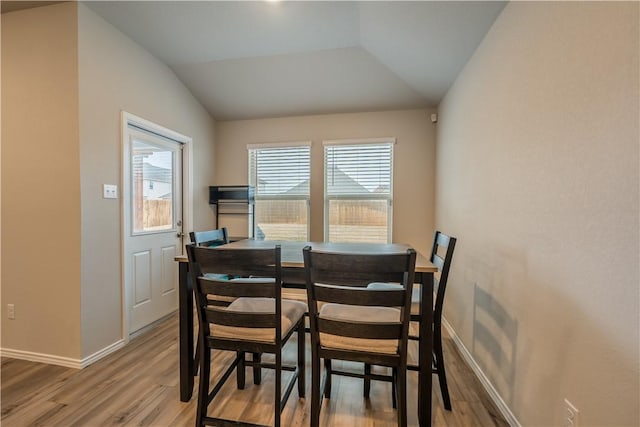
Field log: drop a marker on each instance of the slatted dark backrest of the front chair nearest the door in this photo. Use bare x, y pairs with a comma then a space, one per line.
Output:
258, 275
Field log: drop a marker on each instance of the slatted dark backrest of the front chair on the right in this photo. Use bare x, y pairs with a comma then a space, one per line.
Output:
328, 279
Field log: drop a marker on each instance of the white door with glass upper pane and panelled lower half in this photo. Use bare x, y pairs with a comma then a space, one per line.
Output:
153, 224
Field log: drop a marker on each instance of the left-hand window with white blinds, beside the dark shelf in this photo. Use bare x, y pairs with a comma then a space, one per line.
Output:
280, 174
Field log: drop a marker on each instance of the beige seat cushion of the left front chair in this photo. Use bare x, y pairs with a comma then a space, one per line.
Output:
292, 312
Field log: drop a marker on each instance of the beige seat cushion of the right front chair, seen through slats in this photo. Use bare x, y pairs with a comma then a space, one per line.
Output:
353, 313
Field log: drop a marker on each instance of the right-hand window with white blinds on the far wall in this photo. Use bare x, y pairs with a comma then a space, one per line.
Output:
358, 190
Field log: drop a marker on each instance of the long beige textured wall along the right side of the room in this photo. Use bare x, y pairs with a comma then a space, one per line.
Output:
538, 178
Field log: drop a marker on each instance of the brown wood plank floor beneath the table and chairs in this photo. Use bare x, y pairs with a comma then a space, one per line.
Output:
138, 385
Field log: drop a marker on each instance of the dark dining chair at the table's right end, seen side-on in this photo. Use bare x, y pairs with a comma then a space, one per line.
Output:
441, 256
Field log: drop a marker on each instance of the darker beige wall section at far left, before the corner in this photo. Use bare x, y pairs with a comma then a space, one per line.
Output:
41, 181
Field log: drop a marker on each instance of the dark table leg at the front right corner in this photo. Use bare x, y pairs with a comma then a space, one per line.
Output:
425, 352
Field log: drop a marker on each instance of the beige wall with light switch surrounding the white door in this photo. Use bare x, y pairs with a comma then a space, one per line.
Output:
115, 75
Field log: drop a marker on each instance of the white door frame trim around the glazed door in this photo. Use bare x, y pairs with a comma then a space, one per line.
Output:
187, 200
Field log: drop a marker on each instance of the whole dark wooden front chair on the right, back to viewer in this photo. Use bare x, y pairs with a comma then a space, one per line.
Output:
350, 322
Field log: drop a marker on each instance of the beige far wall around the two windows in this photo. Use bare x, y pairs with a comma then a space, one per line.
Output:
414, 164
